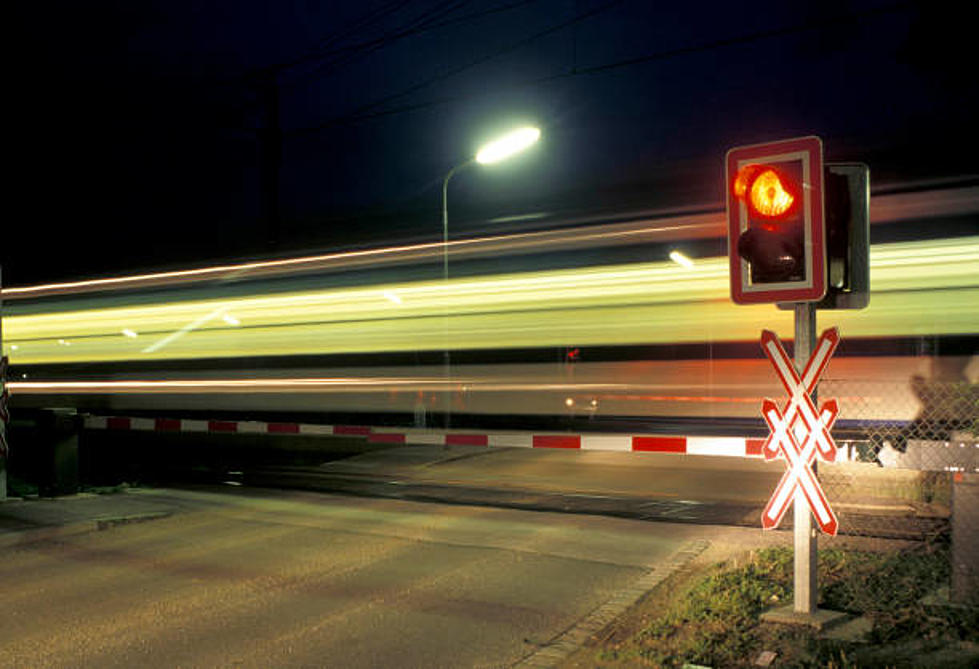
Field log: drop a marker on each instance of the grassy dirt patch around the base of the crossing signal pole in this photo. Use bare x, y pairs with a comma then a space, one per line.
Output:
710, 616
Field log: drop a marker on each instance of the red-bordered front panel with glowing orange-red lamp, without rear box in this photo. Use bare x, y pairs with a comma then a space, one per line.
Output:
776, 223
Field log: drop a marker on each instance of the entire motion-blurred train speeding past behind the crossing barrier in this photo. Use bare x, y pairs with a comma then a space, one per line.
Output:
585, 325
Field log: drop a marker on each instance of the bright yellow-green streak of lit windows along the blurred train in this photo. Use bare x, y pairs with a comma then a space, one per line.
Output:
919, 288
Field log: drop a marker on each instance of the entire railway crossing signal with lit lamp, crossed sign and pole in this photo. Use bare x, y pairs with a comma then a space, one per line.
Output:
798, 237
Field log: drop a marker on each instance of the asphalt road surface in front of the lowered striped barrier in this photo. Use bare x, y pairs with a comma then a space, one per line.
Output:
290, 579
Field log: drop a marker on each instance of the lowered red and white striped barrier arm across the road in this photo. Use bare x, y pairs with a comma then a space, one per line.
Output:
728, 446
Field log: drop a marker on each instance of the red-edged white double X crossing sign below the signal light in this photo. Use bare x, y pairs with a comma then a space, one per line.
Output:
798, 433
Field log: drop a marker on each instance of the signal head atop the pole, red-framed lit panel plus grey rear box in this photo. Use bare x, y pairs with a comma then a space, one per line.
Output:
798, 229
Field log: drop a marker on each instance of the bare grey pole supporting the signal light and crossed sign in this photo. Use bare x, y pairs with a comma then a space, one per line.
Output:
806, 548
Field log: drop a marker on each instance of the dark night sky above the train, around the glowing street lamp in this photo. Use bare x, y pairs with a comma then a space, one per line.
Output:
150, 134
